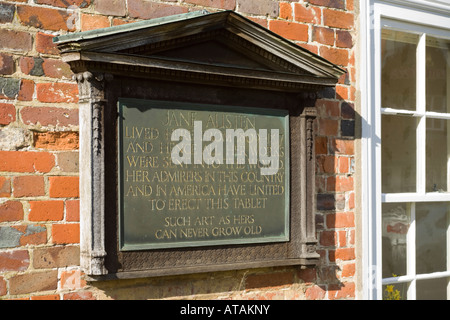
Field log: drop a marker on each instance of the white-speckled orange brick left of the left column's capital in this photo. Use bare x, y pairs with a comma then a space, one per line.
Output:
57, 92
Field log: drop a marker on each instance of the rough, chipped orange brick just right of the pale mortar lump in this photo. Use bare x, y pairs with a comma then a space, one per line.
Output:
56, 140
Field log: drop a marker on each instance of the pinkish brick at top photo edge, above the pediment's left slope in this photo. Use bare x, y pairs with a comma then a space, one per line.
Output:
148, 10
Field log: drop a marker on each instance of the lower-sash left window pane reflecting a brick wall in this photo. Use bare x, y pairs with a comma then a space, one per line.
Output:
396, 221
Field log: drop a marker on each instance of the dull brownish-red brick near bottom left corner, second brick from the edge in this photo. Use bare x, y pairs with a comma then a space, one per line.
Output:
33, 282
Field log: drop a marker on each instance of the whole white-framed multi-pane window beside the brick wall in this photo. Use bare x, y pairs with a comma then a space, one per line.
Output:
406, 144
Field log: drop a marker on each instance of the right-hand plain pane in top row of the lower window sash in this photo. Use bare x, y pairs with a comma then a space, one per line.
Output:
432, 220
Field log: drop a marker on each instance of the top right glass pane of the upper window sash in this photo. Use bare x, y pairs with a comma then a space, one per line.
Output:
438, 74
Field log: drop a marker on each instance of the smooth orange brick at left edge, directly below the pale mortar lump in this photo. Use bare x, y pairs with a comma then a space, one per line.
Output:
26, 161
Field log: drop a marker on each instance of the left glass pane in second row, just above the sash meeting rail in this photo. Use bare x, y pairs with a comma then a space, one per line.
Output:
398, 152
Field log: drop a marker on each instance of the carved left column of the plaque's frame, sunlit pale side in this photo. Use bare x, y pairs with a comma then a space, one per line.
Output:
92, 227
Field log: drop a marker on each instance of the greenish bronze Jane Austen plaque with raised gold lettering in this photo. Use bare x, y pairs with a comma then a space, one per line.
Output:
201, 175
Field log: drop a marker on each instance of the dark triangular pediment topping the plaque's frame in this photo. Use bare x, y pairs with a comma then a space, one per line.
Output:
223, 43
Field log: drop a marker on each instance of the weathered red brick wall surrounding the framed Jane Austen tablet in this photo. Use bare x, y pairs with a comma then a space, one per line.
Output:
39, 204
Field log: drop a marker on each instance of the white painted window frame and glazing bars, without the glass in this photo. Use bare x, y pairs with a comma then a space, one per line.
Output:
430, 16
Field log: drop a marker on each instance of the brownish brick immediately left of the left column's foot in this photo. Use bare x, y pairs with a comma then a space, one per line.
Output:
56, 257
